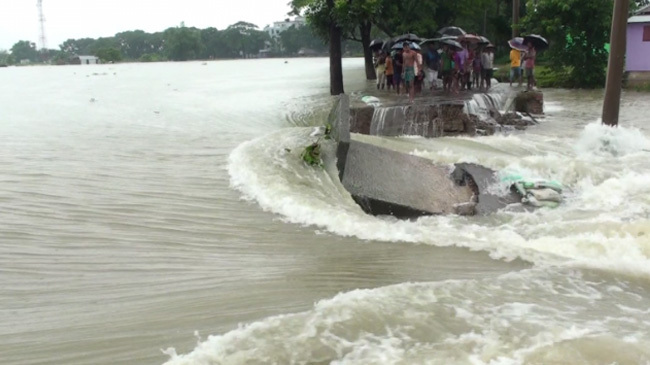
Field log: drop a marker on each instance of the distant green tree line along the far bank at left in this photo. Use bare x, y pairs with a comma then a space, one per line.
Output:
240, 40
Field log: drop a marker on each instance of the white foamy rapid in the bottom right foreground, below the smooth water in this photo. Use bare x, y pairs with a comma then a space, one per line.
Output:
530, 317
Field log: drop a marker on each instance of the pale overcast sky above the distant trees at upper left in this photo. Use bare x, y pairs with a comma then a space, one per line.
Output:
103, 18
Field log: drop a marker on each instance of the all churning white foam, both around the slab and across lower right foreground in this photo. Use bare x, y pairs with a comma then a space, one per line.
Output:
560, 311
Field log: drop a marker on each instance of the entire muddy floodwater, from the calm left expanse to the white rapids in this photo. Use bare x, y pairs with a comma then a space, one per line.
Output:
155, 213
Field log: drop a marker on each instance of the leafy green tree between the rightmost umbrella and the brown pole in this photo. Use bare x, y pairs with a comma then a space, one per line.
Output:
577, 31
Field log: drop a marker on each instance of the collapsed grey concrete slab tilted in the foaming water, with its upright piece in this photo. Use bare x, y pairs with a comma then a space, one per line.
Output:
387, 182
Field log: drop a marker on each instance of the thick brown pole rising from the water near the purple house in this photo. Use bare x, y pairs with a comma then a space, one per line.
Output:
618, 42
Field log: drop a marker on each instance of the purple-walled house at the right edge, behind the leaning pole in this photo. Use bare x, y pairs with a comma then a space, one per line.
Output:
638, 47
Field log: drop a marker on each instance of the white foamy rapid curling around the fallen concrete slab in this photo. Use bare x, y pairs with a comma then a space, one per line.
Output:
603, 223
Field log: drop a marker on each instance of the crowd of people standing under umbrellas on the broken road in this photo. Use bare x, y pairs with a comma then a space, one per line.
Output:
470, 67
